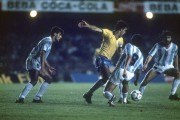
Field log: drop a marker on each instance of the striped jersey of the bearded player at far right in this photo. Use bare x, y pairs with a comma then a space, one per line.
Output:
162, 55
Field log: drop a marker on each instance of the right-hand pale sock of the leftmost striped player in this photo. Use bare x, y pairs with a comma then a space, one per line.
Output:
43, 88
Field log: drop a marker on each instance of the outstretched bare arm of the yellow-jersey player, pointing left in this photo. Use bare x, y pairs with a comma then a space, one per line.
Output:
87, 25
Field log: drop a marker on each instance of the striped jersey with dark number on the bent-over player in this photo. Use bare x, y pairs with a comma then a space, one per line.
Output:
137, 58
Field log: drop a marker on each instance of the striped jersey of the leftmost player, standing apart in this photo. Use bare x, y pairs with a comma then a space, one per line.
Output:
33, 60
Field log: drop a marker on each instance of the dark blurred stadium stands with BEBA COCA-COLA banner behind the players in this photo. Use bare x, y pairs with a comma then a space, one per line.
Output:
73, 57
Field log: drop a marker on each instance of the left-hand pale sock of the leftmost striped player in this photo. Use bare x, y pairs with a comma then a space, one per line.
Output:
26, 90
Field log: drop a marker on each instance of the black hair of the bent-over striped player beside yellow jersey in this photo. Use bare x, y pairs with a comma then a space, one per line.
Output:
136, 40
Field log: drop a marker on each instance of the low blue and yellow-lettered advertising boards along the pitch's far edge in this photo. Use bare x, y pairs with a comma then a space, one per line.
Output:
75, 77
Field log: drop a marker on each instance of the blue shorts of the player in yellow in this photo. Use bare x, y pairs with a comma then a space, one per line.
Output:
102, 60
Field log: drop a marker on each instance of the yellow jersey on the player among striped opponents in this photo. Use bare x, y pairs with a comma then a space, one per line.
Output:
109, 44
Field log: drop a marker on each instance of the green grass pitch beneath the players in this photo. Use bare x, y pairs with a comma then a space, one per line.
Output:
63, 101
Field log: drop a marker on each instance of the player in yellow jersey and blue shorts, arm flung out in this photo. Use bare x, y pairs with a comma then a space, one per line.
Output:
112, 41
